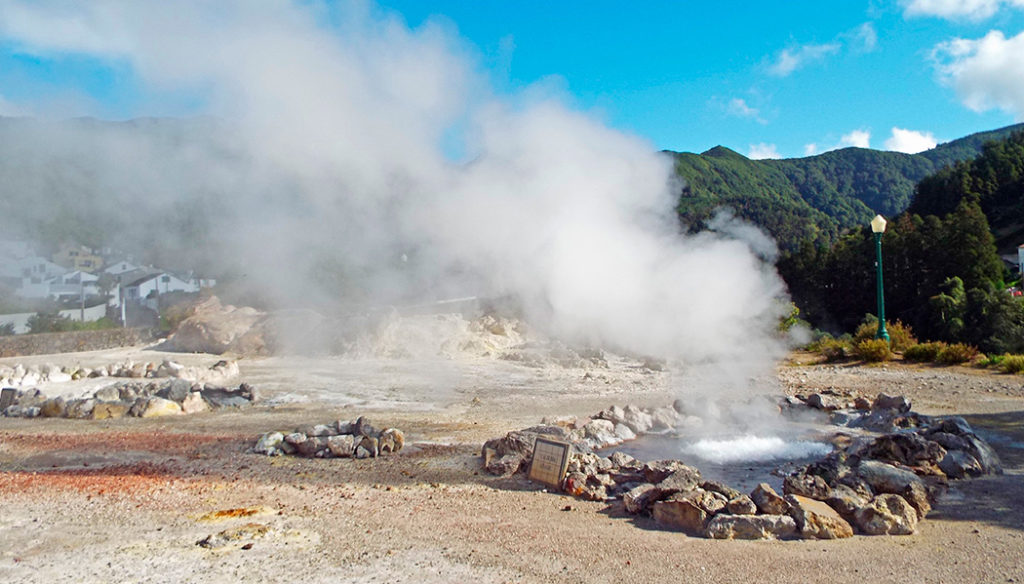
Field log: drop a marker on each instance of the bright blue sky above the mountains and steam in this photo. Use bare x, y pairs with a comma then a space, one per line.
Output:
779, 79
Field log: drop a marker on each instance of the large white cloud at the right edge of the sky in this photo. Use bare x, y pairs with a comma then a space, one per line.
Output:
986, 73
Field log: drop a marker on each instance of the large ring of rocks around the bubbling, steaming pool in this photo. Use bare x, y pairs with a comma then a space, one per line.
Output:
882, 485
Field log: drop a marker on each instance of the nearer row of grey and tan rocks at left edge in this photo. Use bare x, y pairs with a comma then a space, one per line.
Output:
173, 397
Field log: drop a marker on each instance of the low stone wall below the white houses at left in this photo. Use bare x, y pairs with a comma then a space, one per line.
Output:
47, 344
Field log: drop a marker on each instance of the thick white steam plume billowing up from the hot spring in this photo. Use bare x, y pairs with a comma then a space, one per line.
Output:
318, 152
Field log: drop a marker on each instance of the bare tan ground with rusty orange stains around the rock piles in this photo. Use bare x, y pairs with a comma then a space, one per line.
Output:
184, 500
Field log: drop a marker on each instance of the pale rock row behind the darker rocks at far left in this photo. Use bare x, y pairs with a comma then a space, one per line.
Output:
22, 377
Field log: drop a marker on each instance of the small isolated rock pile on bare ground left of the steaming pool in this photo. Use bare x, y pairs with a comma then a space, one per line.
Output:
358, 439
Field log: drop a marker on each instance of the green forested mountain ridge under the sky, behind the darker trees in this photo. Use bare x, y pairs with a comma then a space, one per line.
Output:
814, 198
